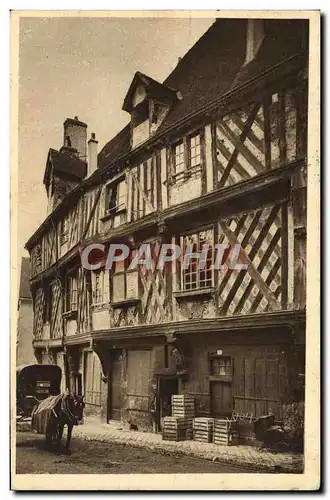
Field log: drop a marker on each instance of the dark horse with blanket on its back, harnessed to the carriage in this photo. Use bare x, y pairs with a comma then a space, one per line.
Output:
51, 415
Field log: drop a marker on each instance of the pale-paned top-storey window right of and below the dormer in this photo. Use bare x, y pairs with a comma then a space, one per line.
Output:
186, 154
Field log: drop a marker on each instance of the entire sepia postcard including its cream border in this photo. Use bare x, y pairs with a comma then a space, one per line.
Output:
164, 196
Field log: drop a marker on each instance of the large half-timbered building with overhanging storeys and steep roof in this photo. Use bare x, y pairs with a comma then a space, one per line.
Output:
216, 154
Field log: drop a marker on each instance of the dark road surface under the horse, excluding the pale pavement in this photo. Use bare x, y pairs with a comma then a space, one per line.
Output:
105, 458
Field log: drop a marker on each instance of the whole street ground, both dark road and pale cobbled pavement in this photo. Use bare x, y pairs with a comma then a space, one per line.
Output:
109, 448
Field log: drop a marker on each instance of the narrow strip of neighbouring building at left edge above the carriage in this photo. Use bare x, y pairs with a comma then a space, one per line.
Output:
24, 346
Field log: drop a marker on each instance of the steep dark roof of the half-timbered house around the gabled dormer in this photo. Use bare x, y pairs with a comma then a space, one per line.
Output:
213, 66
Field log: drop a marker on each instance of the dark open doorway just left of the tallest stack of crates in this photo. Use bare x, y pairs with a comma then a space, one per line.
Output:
166, 387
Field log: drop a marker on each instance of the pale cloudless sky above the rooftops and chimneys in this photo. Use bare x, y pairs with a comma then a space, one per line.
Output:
83, 67
